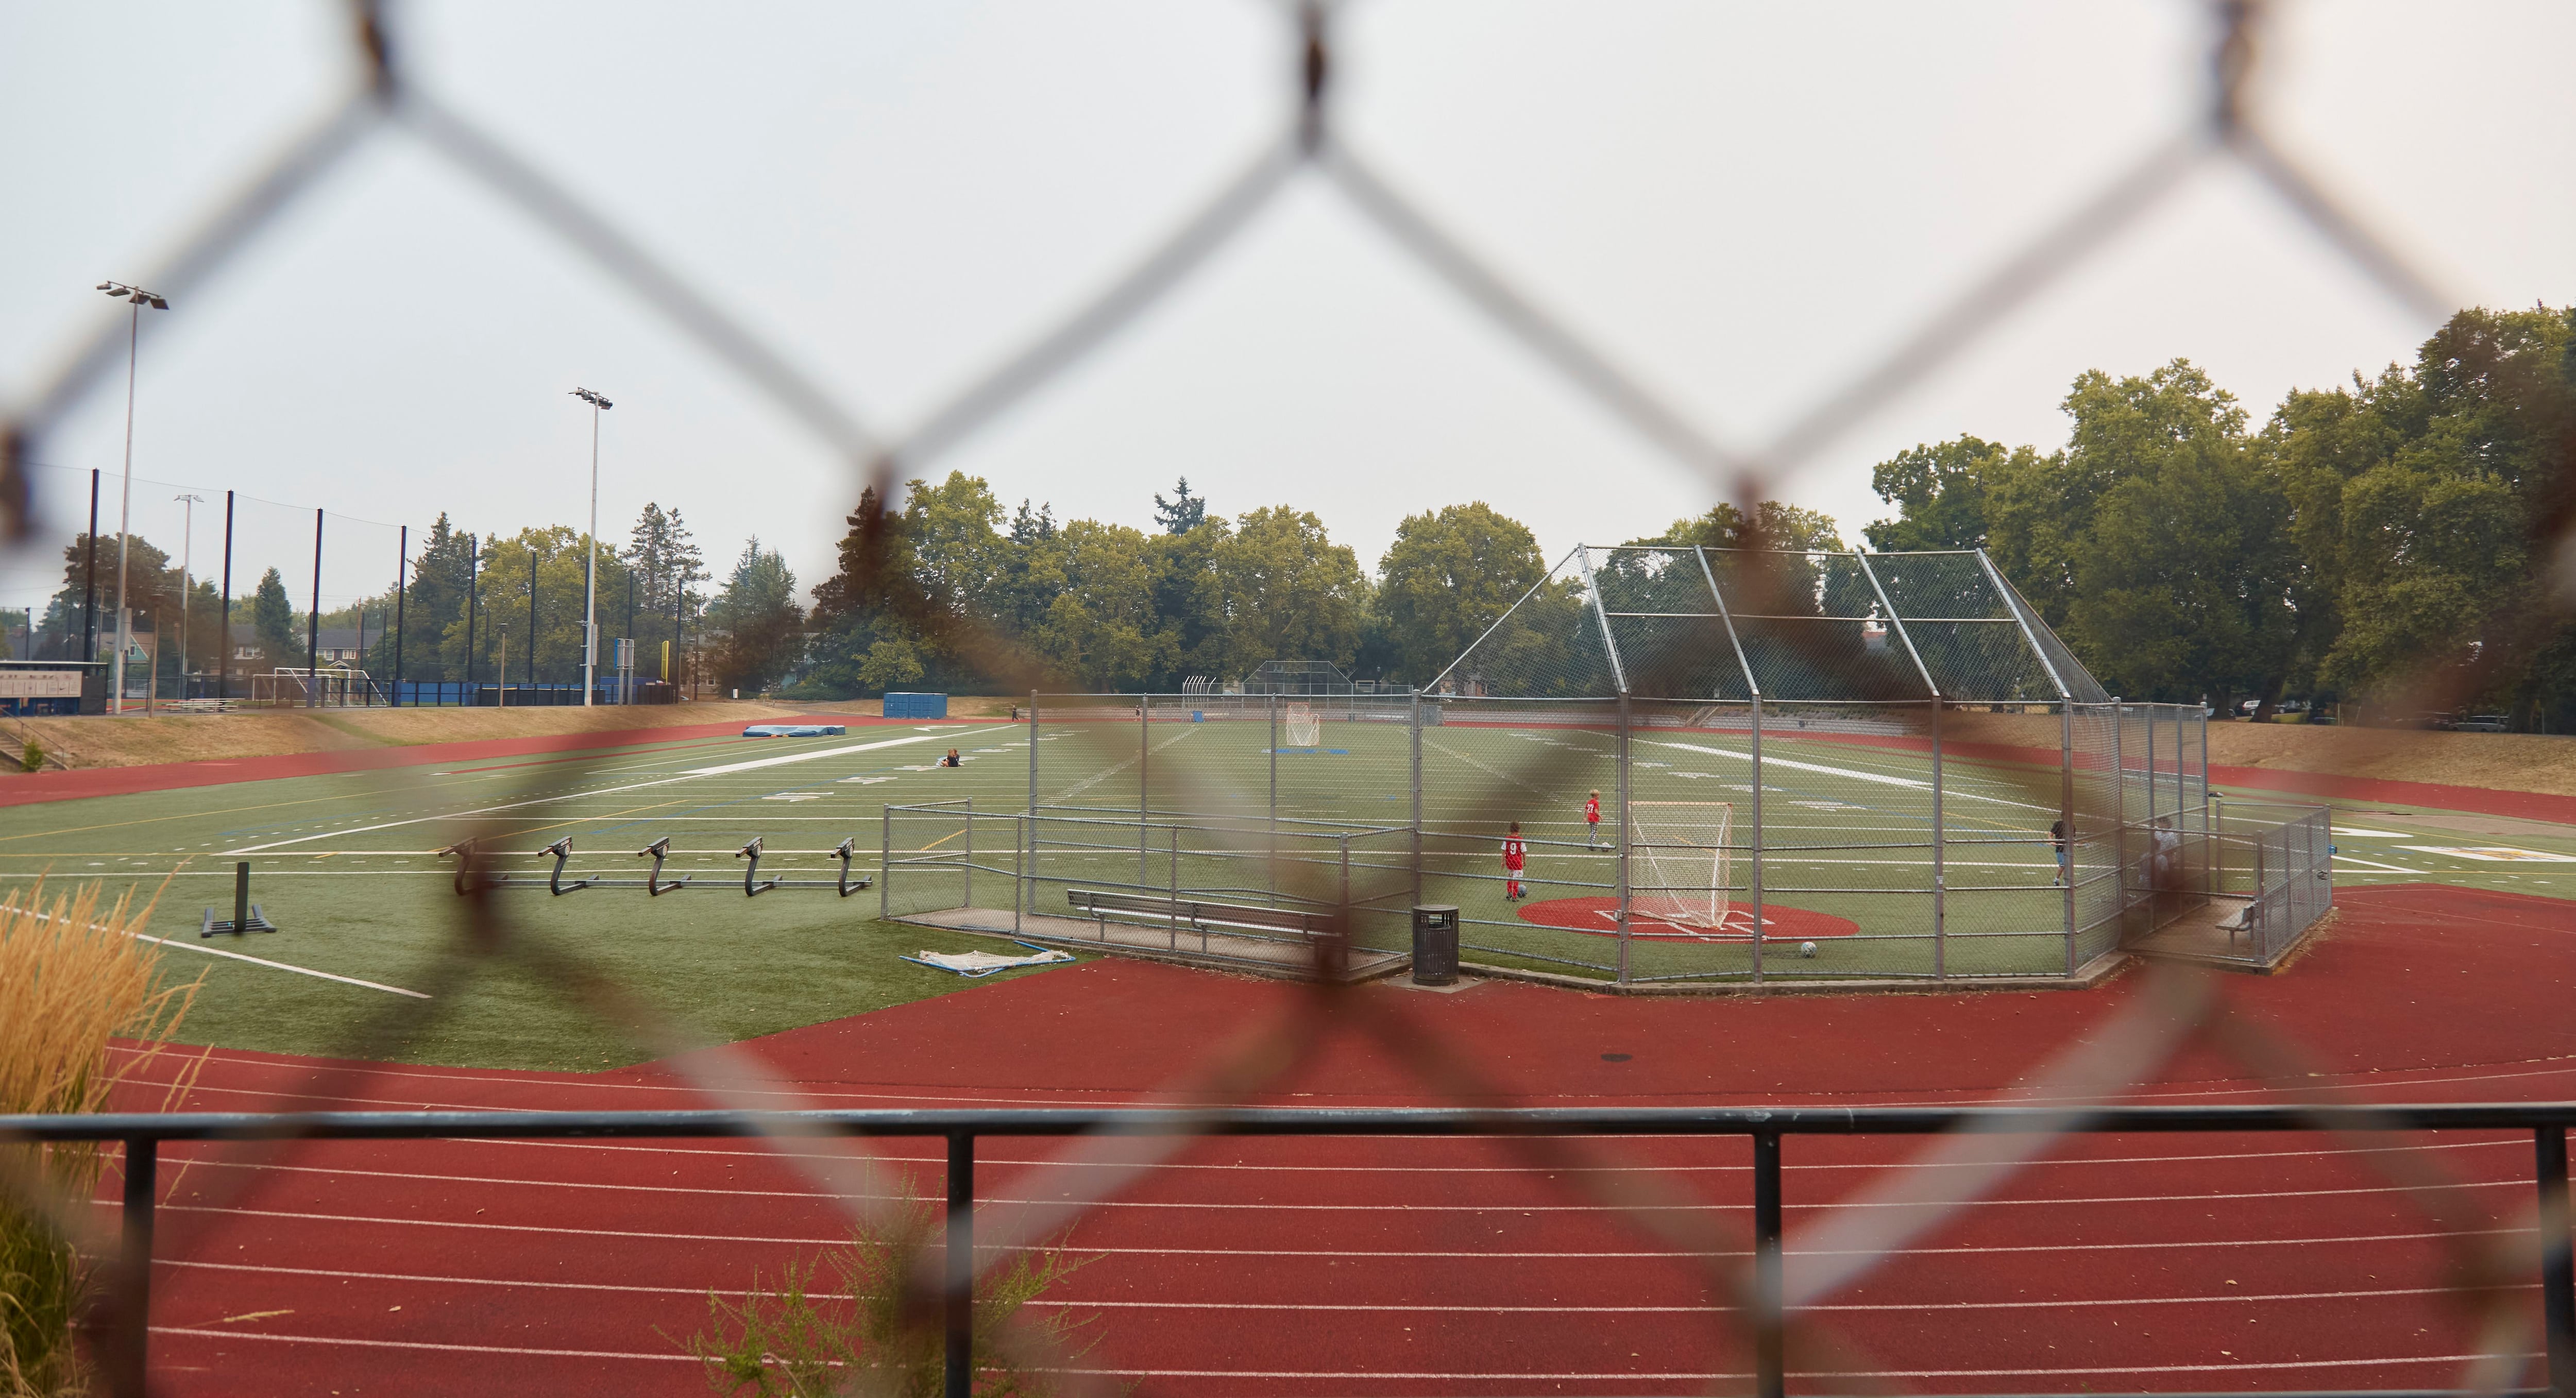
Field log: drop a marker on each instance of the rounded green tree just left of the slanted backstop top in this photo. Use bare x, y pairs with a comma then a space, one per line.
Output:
1449, 578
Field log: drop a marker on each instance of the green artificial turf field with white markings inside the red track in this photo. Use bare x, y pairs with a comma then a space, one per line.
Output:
346, 866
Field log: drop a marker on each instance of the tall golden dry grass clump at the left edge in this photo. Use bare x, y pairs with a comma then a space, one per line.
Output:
71, 982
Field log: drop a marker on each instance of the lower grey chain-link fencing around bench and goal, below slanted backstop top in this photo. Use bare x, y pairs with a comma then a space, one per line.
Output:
1624, 841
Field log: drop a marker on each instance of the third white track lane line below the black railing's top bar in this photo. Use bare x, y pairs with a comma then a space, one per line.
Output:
1712, 1309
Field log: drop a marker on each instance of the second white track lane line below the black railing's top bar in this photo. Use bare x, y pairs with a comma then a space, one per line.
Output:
1382, 1255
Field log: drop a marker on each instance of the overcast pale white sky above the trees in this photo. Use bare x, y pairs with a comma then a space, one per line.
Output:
1735, 202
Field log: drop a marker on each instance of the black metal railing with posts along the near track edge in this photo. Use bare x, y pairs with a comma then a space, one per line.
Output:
960, 1129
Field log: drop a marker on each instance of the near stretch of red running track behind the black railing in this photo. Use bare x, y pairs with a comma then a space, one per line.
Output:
1434, 1265
